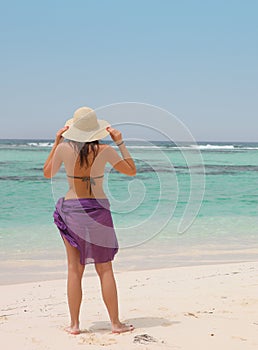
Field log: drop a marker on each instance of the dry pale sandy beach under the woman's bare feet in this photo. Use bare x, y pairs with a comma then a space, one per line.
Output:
197, 307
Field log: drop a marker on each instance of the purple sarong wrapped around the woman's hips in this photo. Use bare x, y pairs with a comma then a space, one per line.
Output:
87, 224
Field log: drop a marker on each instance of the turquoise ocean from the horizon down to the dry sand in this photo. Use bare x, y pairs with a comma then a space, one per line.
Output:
188, 204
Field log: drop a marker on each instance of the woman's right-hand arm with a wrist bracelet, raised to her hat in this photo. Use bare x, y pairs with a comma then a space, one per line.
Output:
126, 164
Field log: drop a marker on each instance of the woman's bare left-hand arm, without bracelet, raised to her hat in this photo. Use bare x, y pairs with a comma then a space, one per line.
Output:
53, 162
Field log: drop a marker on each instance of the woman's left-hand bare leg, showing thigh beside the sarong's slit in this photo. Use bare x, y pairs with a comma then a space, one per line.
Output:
74, 288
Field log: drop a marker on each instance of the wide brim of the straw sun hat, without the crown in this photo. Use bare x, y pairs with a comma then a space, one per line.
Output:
75, 134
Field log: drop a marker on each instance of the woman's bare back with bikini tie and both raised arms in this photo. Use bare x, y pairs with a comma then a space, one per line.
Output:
85, 170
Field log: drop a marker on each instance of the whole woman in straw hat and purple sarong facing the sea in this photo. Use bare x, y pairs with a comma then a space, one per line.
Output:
83, 216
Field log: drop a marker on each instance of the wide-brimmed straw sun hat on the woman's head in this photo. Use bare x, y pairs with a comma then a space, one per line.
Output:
85, 127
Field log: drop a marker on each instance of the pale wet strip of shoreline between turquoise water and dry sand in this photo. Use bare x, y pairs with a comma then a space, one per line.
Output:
53, 266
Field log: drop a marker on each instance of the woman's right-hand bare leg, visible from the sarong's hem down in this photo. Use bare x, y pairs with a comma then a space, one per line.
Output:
109, 293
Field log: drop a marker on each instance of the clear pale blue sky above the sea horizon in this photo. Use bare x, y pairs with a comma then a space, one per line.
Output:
198, 60
